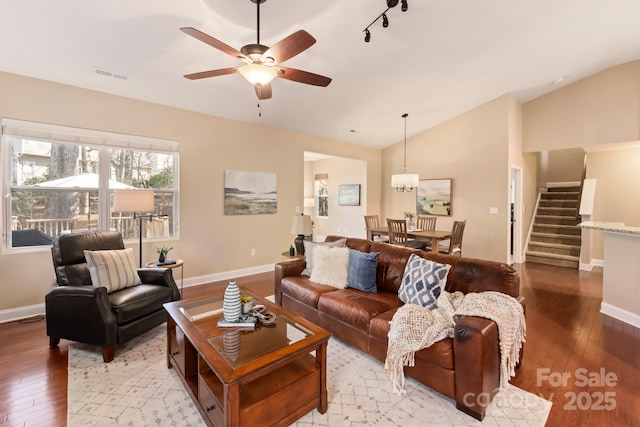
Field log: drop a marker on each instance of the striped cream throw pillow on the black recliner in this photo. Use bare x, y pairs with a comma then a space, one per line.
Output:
114, 269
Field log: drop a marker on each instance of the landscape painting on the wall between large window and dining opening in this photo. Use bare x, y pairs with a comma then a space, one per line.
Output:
249, 193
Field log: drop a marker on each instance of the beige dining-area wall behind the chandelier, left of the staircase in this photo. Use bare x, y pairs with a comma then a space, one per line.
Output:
473, 150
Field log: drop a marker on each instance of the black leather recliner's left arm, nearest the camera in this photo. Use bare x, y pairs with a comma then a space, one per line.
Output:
81, 313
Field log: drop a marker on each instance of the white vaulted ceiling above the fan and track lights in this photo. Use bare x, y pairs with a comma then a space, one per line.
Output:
435, 61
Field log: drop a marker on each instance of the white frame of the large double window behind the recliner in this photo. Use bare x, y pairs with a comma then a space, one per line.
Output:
104, 142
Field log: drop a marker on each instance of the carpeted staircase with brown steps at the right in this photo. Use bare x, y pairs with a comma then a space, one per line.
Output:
555, 238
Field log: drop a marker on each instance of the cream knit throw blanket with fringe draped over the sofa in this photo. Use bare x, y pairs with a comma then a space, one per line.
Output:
414, 327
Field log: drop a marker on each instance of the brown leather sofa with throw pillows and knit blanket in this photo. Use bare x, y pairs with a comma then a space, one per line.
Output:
465, 368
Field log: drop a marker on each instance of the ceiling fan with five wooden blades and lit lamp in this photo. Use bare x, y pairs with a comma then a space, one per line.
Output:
262, 62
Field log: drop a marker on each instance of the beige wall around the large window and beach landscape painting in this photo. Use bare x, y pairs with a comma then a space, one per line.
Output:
209, 241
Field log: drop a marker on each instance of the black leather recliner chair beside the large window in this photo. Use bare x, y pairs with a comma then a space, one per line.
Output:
77, 311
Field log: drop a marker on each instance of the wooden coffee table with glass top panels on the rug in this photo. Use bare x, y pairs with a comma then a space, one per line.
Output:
272, 375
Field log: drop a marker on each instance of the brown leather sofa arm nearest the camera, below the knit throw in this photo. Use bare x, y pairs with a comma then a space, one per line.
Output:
477, 364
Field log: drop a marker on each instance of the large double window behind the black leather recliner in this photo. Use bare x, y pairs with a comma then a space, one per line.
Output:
60, 180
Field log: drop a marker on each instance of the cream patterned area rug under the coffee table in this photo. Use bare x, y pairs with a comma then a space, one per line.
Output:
137, 389
